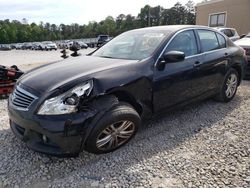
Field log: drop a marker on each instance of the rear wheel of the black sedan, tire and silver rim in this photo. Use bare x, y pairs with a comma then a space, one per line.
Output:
223, 95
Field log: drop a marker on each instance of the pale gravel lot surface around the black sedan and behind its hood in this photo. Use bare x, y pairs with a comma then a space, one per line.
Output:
202, 145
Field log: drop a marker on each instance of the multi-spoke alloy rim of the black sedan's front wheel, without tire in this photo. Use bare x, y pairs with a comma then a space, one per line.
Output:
115, 135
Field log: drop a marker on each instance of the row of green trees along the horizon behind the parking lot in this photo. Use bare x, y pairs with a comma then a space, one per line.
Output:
20, 31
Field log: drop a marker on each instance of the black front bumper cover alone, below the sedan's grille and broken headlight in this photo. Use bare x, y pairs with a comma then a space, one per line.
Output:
60, 135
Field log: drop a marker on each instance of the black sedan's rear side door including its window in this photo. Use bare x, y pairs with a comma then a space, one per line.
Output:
214, 61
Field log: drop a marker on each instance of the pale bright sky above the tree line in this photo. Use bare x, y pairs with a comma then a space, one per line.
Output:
75, 11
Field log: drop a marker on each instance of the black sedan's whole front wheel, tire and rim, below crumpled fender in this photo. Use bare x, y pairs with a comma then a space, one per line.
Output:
109, 127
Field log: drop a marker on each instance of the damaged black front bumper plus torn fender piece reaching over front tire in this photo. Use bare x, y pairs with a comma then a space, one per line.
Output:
58, 135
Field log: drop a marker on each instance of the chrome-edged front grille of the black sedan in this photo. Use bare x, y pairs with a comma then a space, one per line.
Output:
26, 101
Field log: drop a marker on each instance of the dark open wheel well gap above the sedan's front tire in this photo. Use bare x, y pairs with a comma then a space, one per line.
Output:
124, 96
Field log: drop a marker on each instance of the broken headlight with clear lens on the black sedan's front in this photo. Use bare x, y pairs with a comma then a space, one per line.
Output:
66, 103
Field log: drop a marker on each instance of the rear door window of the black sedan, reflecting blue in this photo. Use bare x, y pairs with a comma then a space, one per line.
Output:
208, 40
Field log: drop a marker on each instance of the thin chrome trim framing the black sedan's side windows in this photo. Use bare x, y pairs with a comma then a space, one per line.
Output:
188, 57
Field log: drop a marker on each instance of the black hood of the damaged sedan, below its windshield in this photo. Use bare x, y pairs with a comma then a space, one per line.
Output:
54, 75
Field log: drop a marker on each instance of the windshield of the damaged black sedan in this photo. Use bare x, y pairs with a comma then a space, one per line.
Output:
135, 45
